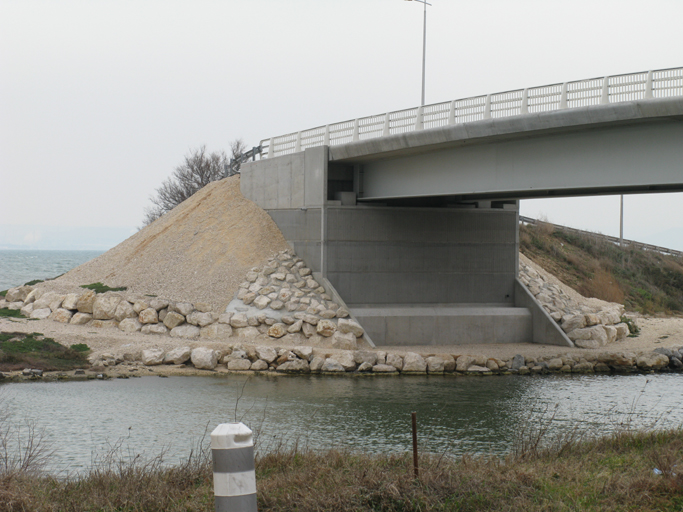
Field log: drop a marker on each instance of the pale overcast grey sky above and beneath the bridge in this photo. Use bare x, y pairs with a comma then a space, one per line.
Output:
101, 99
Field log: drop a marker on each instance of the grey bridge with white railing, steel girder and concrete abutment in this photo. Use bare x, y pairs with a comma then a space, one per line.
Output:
411, 217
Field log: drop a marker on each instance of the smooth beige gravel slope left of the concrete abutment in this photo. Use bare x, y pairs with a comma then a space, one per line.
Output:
198, 252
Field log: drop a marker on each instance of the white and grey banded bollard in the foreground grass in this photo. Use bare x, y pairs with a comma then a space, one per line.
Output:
234, 477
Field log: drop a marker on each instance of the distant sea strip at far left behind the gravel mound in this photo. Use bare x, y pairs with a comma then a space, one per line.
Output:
18, 266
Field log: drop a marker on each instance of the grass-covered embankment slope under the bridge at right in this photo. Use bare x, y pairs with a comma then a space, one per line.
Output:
644, 281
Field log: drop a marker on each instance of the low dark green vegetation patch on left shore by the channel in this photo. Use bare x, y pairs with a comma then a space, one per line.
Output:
20, 350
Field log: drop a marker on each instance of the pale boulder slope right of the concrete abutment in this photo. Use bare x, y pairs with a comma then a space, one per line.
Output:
587, 326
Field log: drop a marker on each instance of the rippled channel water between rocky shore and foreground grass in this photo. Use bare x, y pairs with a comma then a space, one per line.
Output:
455, 414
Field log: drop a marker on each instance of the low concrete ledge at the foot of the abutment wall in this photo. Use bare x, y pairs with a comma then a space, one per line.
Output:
445, 324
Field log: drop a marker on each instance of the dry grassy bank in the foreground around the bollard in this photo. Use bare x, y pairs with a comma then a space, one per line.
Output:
611, 474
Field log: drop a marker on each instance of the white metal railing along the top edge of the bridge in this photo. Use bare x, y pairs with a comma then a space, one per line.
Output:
662, 83
